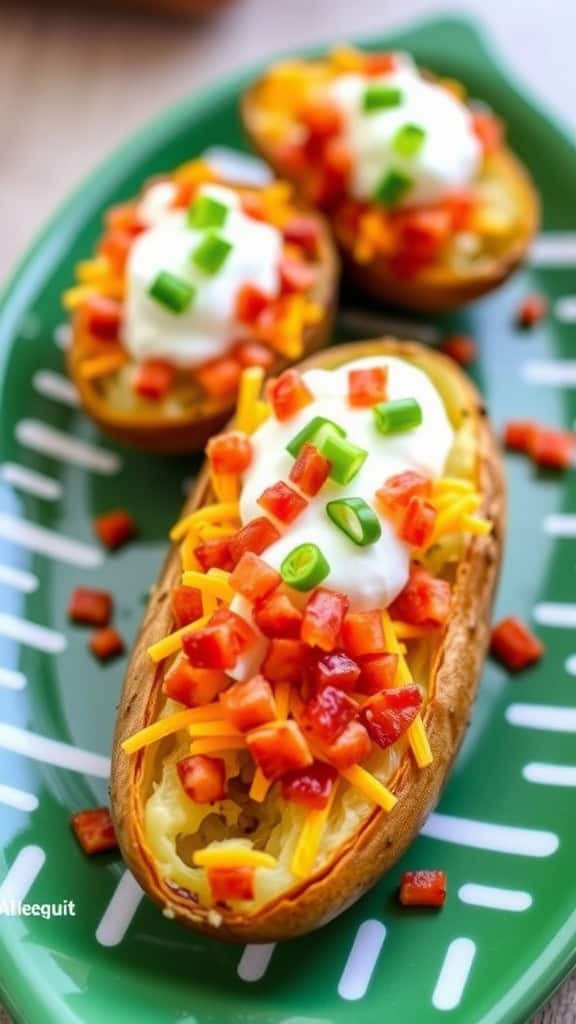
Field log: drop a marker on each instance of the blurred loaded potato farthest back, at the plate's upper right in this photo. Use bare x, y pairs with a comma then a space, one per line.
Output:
429, 206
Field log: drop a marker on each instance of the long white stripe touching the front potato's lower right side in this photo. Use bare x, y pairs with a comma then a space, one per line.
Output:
486, 836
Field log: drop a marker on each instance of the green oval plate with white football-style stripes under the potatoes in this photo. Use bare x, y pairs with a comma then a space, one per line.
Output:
505, 829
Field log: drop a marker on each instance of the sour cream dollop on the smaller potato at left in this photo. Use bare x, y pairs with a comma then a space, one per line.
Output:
208, 328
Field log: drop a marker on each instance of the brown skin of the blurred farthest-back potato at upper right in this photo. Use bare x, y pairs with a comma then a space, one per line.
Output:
439, 289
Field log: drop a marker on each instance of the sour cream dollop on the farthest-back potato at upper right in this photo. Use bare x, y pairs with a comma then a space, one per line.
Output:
450, 154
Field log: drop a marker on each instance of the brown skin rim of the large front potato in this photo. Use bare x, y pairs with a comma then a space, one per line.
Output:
383, 839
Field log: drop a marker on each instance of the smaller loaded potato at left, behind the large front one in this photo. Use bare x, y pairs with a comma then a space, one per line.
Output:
193, 282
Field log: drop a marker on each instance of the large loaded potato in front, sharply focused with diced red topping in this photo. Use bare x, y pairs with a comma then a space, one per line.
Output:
296, 700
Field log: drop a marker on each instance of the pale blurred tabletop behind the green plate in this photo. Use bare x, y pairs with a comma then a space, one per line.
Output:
75, 81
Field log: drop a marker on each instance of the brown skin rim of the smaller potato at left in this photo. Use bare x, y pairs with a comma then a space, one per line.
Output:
154, 432
